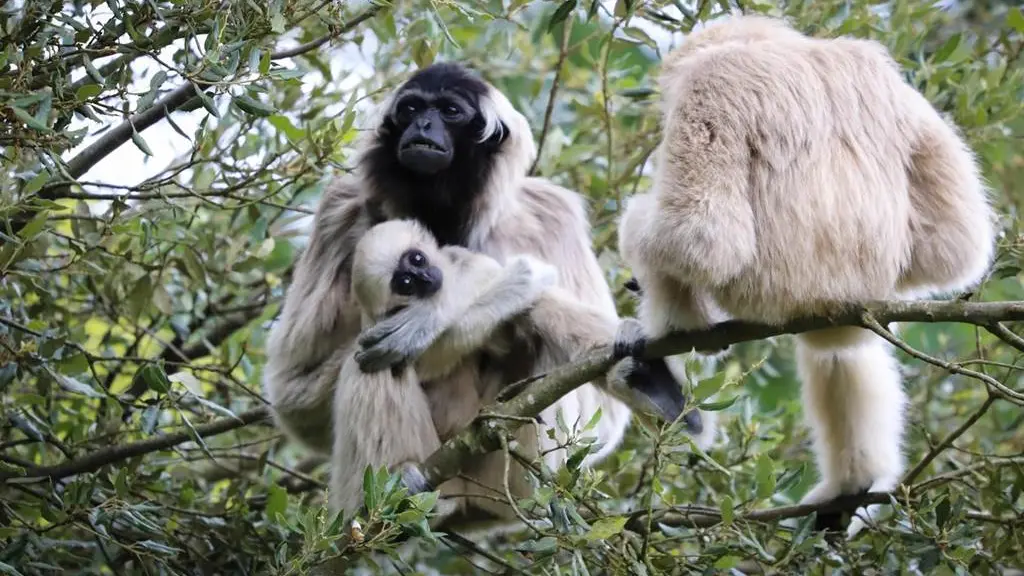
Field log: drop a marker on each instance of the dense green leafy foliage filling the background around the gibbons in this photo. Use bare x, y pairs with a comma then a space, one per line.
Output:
141, 269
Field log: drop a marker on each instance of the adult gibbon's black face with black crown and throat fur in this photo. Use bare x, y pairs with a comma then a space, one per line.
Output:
431, 160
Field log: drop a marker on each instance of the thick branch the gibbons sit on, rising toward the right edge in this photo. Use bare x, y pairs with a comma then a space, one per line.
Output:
480, 438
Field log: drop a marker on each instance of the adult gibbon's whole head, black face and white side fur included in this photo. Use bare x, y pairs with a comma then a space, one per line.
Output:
445, 140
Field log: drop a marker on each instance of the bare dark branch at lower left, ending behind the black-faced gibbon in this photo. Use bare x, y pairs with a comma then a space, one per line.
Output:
96, 461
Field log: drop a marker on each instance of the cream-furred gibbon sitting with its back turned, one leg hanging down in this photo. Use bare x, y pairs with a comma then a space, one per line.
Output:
796, 174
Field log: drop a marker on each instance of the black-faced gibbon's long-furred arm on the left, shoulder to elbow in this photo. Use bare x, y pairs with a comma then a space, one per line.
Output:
319, 321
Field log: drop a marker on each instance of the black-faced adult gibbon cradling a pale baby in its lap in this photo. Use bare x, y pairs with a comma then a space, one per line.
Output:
451, 152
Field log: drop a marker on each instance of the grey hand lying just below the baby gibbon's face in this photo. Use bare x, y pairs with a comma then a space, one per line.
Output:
407, 335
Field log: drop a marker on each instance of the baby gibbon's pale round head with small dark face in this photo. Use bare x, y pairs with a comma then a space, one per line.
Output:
395, 263
